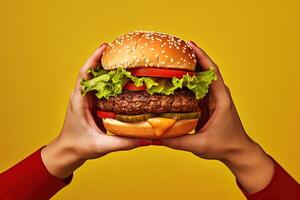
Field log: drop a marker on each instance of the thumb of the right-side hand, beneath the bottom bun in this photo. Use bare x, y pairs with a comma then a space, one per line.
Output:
191, 143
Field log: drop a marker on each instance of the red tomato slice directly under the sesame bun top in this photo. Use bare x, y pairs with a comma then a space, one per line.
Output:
156, 72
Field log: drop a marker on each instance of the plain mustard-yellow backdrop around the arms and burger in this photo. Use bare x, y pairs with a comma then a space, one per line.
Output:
255, 43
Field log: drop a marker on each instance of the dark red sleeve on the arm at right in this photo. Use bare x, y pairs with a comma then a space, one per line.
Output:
281, 187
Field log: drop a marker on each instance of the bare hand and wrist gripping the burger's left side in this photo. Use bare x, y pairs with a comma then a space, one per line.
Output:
81, 138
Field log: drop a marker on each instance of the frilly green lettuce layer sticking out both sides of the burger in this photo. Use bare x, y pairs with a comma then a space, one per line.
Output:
110, 83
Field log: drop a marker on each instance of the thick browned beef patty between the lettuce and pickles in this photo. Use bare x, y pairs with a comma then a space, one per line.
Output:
140, 102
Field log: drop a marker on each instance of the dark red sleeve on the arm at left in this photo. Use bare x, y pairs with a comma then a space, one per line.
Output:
29, 179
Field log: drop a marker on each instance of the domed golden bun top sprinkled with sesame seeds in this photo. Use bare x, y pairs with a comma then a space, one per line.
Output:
148, 49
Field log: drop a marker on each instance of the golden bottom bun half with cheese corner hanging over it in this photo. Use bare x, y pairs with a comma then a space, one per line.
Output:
152, 128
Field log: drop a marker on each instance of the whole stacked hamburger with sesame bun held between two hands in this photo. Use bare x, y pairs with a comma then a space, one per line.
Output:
148, 86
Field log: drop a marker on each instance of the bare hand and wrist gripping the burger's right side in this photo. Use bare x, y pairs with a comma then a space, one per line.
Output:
223, 137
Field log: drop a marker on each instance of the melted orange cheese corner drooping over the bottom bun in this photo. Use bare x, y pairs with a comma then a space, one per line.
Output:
160, 125
